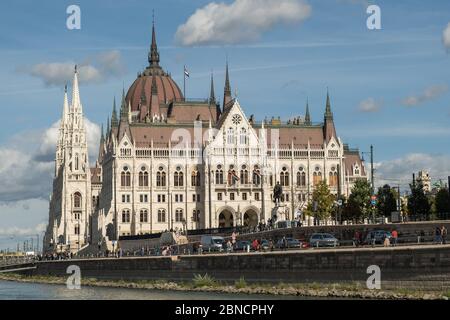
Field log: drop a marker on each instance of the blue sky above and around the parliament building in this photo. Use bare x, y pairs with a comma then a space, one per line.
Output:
273, 74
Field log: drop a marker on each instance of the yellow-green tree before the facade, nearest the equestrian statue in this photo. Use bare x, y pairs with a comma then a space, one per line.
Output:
321, 205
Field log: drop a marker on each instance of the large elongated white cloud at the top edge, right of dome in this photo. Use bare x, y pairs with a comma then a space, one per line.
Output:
242, 20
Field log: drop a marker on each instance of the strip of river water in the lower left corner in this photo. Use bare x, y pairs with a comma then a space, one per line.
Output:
10, 290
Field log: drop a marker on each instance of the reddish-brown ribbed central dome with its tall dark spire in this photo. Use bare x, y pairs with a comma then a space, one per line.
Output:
153, 79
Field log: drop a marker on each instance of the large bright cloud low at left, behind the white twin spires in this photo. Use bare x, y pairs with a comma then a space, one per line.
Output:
27, 173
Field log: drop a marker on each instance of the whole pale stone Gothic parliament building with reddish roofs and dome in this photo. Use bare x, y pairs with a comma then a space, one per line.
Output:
167, 163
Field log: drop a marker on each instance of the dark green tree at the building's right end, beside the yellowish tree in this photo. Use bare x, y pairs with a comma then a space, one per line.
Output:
358, 205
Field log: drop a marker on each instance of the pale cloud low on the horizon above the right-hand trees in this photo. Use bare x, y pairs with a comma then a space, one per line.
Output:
400, 170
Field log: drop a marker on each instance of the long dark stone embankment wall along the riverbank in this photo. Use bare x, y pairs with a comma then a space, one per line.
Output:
421, 267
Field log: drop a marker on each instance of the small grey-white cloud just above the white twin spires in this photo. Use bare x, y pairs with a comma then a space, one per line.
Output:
102, 67
